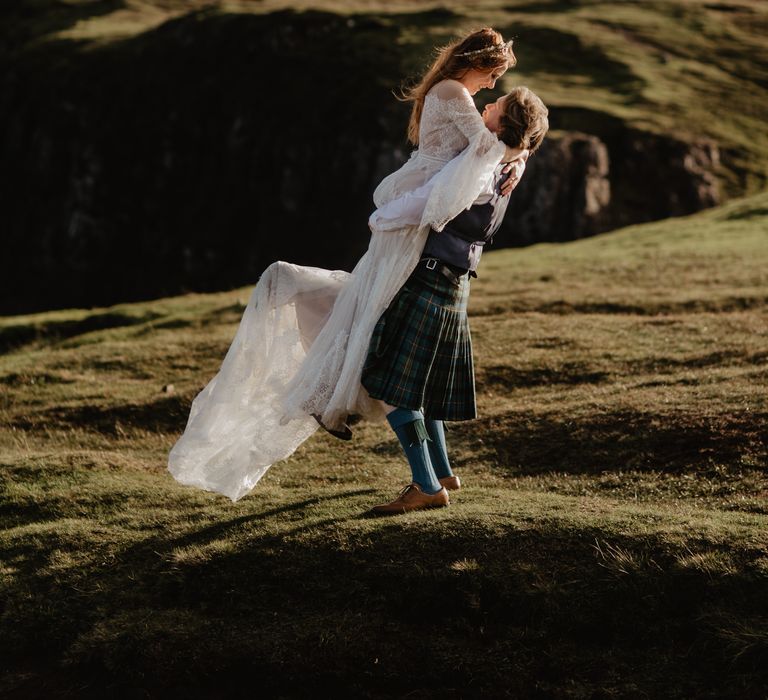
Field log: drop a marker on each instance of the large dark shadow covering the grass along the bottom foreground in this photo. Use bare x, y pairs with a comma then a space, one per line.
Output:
405, 606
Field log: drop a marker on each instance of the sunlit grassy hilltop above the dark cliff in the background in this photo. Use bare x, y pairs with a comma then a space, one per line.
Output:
690, 69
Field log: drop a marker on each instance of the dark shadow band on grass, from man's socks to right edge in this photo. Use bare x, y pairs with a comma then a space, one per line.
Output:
621, 440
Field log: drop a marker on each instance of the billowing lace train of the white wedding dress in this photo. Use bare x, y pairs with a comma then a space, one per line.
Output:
236, 427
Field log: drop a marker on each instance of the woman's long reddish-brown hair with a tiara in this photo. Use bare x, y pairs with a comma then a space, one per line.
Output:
483, 50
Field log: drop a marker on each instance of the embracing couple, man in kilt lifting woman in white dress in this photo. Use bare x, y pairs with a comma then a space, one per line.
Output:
390, 339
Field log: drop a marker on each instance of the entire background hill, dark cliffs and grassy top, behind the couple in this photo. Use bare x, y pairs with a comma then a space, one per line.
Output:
147, 151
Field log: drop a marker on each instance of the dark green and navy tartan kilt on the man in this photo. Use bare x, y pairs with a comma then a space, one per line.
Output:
420, 356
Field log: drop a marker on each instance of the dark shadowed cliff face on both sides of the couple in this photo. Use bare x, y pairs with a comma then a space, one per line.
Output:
191, 157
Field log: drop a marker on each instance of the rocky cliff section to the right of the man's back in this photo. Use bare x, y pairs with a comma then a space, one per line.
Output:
578, 185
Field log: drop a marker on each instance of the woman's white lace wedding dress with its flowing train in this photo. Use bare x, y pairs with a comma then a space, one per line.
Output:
304, 335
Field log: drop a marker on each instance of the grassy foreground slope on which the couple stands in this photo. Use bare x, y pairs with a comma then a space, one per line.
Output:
611, 540
